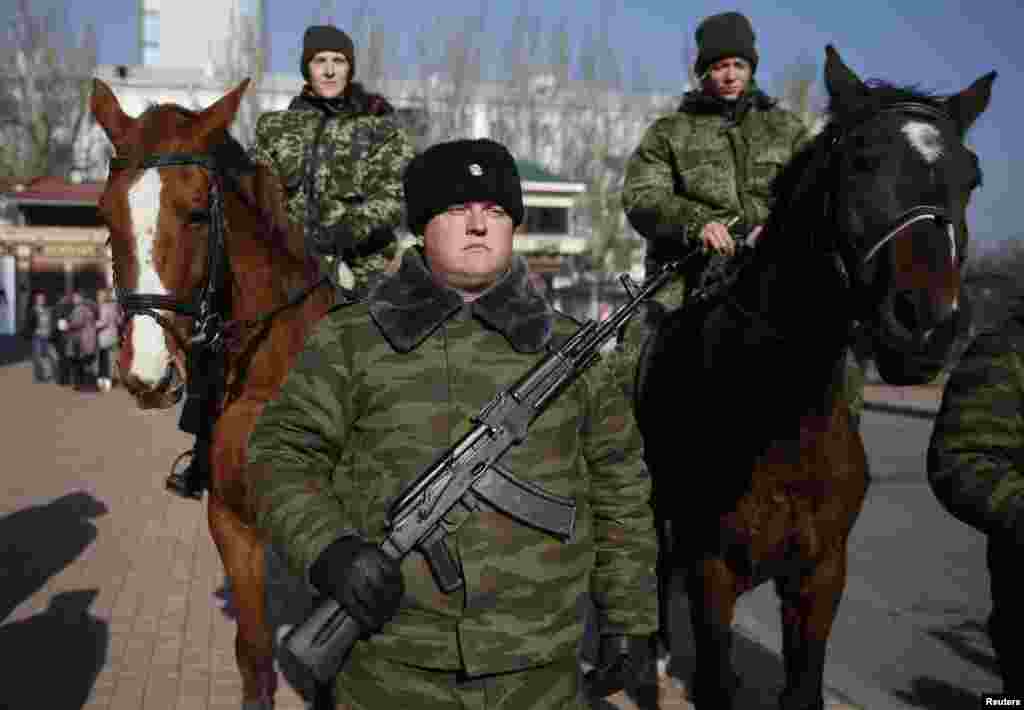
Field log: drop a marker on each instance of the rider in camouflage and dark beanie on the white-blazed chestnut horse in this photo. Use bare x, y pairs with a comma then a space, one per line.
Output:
339, 154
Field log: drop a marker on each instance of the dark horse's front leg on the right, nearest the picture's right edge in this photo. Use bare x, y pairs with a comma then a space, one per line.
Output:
809, 604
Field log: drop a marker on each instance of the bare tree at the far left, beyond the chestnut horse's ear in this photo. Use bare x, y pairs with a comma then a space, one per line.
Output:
46, 78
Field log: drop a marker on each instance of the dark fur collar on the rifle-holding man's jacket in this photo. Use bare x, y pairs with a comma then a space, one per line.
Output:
410, 306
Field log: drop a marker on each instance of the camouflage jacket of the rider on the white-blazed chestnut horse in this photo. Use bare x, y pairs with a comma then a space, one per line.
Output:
358, 185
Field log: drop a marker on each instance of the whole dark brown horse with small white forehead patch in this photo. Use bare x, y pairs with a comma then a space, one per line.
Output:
759, 472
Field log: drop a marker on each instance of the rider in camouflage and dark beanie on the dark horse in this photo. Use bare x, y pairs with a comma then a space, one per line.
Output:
702, 178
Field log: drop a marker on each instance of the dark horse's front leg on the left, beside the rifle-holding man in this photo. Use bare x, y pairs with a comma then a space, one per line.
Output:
713, 593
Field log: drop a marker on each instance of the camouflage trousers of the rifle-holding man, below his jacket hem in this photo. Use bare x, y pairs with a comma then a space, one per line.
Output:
371, 683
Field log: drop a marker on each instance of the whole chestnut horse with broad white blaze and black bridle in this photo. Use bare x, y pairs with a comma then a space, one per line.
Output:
205, 260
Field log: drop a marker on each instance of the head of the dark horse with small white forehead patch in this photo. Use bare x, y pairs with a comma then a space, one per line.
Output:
903, 179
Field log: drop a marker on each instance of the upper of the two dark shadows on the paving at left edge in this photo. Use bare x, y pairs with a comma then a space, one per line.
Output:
40, 541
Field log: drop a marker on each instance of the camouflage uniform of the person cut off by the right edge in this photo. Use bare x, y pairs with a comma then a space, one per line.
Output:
975, 470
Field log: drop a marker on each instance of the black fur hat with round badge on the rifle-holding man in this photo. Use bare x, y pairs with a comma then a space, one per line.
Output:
459, 172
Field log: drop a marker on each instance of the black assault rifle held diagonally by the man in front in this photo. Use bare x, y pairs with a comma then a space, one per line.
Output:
466, 471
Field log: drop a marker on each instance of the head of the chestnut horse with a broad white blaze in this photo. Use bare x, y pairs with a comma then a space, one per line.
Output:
164, 210
